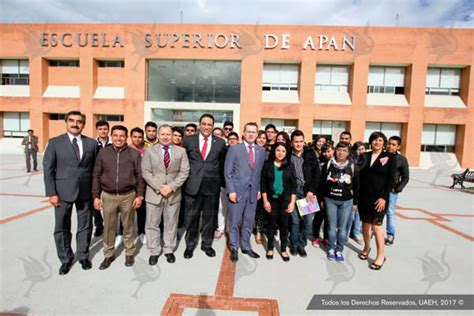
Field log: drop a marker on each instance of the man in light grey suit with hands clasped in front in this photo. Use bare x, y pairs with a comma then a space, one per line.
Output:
165, 167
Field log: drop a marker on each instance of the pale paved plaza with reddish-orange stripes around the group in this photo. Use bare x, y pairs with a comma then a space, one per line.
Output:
433, 254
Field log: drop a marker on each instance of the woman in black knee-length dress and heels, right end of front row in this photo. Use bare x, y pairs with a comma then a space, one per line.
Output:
376, 181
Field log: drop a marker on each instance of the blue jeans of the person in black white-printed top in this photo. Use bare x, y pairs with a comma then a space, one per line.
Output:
338, 216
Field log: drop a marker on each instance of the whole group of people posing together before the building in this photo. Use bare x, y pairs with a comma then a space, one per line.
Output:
213, 183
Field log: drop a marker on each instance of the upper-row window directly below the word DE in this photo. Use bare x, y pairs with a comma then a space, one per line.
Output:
280, 77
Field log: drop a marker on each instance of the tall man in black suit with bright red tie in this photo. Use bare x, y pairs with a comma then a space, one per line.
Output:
206, 155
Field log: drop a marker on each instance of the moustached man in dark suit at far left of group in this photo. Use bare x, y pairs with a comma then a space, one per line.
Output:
68, 164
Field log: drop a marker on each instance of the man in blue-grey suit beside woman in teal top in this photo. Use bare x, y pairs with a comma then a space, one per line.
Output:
242, 171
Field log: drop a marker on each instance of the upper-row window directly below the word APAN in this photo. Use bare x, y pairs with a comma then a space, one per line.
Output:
332, 78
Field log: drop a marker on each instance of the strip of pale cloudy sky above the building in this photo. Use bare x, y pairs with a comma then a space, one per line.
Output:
417, 13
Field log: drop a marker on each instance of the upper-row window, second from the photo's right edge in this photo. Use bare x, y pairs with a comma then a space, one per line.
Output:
386, 80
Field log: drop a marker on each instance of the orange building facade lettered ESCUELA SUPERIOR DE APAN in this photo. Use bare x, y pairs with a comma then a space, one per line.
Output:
412, 82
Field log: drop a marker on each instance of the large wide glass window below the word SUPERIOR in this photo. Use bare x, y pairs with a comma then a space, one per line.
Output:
194, 81
